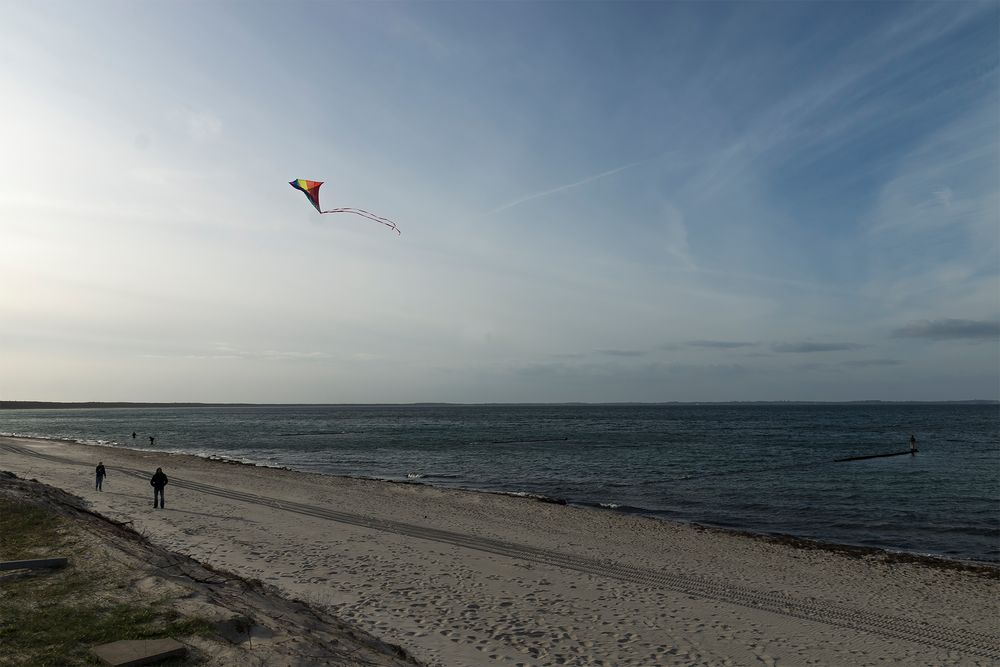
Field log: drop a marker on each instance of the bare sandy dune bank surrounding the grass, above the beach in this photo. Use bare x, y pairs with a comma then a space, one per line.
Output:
255, 625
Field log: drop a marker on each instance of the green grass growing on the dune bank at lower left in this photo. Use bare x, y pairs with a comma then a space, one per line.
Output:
53, 617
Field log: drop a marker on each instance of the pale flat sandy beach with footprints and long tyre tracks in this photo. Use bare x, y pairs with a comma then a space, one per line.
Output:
464, 578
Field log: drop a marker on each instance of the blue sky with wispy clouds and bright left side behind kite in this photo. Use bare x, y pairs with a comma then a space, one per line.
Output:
599, 202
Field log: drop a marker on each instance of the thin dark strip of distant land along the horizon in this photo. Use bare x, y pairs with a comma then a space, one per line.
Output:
48, 405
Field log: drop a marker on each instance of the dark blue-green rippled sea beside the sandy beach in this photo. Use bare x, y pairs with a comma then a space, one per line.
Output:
763, 468
